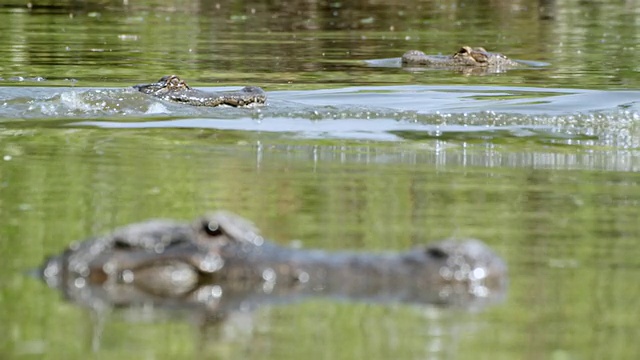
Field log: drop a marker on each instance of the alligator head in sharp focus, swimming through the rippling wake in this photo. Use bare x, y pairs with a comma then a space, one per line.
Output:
172, 88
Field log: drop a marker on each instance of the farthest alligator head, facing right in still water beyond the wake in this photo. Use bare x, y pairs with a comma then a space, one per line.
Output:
466, 57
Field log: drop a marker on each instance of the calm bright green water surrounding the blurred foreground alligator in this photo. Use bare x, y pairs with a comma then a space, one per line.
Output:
566, 235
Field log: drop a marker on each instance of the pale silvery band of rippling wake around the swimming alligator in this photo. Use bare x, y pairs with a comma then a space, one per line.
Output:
476, 114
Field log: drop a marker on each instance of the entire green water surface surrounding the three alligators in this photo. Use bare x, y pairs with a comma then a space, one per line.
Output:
540, 163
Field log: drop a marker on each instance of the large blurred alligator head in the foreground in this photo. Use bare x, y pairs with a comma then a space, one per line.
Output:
219, 264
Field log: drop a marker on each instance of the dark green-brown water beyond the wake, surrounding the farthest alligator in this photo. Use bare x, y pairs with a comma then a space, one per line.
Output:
303, 44
